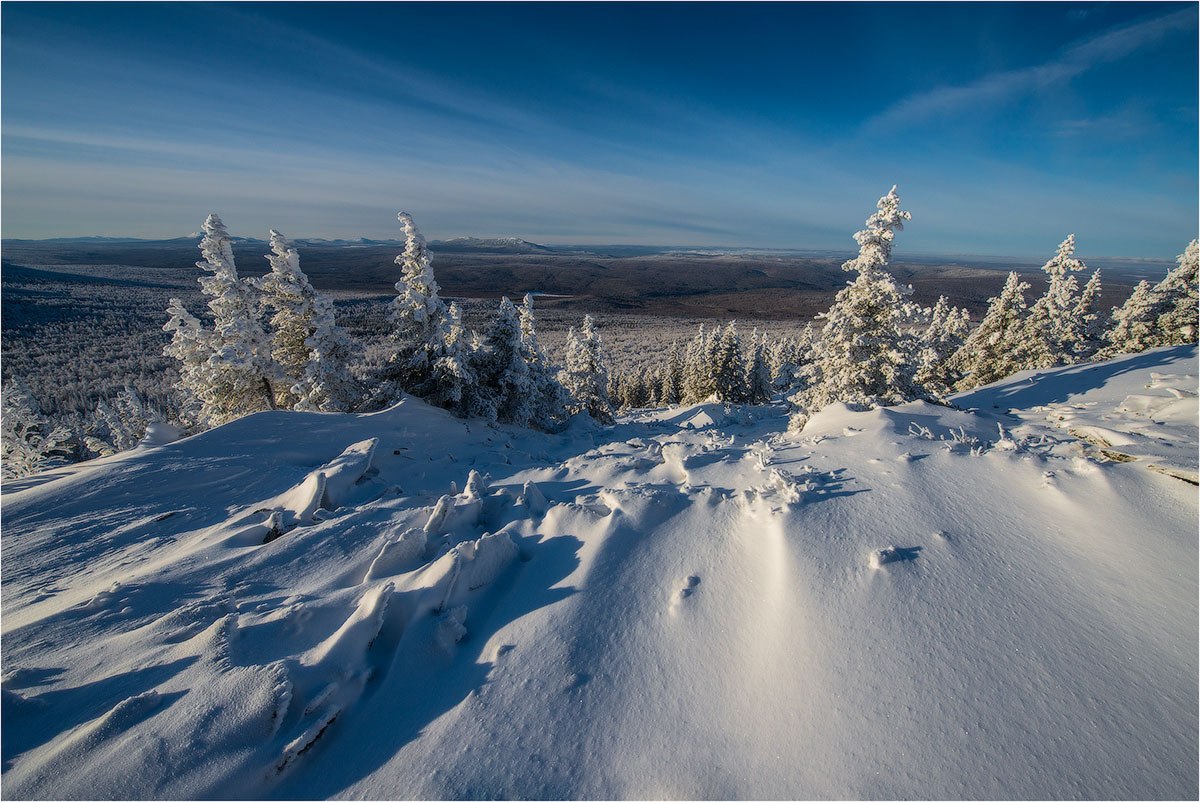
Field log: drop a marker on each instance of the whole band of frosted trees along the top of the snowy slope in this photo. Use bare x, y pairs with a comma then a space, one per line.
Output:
274, 343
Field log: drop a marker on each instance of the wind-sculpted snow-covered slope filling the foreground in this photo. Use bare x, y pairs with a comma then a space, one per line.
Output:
913, 602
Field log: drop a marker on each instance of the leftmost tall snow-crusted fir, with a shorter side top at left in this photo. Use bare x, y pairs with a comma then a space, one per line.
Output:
229, 370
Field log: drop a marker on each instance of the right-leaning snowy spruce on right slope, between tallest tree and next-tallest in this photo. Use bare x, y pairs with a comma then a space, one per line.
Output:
991, 351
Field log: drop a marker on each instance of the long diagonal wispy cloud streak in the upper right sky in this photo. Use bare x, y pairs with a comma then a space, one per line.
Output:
1000, 87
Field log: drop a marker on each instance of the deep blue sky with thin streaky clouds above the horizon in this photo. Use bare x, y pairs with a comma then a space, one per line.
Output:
761, 125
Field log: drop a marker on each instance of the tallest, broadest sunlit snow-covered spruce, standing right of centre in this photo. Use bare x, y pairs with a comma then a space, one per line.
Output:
866, 356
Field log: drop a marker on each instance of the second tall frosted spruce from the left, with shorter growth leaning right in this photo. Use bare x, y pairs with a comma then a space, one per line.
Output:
307, 343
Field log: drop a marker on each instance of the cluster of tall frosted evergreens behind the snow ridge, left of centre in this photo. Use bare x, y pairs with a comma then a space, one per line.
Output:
274, 344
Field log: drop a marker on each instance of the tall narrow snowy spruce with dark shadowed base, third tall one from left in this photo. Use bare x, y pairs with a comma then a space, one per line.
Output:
418, 318
